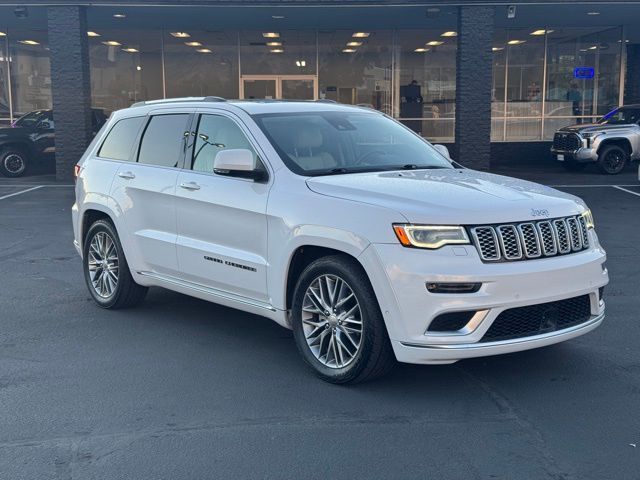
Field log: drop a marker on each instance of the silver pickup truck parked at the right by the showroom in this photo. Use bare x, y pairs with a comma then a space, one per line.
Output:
612, 142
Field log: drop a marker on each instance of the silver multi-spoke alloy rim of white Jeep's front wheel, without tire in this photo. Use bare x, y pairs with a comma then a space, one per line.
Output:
332, 321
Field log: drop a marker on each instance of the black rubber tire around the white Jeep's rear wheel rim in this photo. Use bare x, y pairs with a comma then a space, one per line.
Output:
126, 293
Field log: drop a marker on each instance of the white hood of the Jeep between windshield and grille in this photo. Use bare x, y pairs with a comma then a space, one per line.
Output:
451, 196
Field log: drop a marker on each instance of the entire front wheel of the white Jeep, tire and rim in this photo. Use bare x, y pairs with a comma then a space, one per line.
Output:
337, 323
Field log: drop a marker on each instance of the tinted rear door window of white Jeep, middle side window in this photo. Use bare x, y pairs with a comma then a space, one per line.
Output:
163, 140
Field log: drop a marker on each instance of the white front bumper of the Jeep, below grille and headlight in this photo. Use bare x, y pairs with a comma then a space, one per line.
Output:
399, 277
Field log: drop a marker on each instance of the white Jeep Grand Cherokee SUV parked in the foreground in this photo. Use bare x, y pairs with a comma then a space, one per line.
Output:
339, 223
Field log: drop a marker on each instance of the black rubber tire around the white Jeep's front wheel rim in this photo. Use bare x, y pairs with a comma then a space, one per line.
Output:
374, 357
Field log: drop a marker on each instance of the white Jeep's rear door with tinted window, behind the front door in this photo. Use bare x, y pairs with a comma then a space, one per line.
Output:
144, 191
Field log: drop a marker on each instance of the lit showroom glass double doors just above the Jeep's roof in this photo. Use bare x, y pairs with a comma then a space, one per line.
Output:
288, 87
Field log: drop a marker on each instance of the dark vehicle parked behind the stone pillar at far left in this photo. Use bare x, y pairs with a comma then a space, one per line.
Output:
31, 139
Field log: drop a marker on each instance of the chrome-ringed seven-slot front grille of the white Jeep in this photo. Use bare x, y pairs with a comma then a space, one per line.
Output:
529, 240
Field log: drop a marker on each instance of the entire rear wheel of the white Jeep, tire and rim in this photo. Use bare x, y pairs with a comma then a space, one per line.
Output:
106, 271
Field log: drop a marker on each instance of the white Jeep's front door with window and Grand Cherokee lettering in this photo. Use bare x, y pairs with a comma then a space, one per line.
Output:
222, 225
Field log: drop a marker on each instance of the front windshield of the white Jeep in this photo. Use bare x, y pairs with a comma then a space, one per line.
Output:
329, 143
